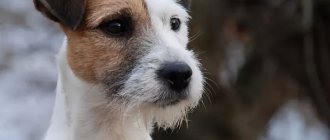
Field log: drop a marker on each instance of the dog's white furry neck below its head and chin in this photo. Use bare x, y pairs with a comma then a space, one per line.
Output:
82, 112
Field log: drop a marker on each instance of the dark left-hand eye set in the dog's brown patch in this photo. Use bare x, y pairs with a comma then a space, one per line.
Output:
117, 27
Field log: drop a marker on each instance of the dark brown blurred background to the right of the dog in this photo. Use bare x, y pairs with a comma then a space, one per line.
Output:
263, 56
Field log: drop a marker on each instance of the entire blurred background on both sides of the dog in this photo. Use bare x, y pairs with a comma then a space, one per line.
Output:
267, 64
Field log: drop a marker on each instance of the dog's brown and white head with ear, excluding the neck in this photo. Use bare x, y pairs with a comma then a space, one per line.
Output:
136, 49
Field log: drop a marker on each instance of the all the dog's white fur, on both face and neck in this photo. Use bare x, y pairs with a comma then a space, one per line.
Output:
83, 111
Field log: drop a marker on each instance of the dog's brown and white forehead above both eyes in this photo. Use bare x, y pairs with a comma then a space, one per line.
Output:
99, 10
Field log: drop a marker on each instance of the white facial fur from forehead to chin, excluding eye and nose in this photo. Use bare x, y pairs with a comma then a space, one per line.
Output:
165, 46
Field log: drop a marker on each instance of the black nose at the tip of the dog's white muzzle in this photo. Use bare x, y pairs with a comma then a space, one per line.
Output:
177, 75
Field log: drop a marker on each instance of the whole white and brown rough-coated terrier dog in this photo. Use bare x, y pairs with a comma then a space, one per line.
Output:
124, 68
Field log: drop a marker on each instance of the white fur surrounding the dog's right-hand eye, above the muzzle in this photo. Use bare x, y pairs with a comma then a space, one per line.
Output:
161, 12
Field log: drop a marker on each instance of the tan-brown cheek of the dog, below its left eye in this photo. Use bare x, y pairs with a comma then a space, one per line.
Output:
91, 55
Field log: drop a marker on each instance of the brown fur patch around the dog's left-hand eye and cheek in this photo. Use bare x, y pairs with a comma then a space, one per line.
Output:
96, 57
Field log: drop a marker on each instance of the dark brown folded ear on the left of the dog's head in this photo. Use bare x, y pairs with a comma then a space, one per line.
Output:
68, 12
